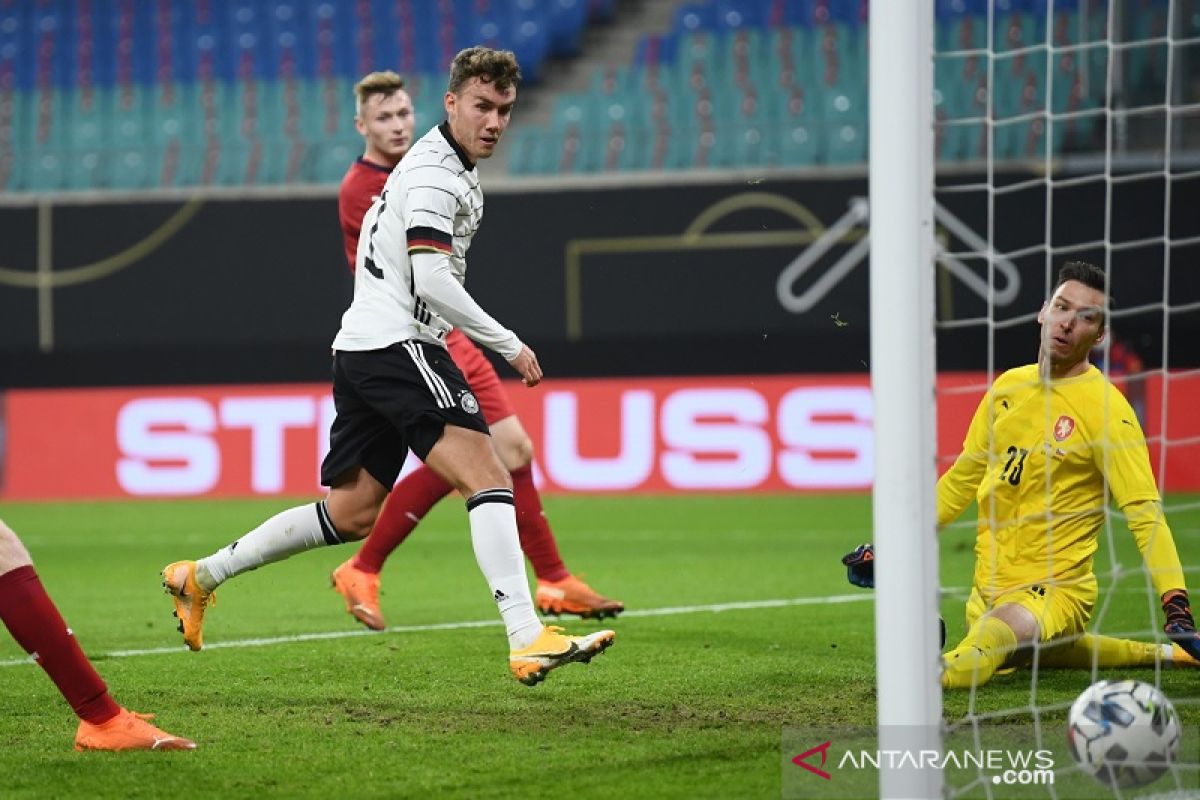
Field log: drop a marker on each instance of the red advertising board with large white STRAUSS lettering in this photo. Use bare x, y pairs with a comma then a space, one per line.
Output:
697, 435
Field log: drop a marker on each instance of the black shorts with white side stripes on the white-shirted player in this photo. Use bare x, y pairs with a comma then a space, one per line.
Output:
392, 400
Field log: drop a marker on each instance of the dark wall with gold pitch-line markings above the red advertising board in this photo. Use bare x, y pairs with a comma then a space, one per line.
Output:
670, 280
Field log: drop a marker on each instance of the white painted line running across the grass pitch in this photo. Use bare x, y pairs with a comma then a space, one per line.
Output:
458, 627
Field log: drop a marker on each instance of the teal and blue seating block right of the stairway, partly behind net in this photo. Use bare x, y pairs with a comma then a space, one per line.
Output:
784, 83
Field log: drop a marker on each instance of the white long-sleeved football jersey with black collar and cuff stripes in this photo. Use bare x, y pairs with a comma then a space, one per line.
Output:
412, 258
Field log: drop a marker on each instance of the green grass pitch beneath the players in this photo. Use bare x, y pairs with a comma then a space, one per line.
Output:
689, 703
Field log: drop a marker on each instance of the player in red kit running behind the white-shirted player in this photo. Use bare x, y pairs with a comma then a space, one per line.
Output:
386, 119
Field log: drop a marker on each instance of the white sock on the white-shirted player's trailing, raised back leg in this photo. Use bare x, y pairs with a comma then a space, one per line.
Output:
285, 534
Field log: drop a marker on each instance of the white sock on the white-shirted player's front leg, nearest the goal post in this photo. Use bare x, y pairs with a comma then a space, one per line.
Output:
494, 534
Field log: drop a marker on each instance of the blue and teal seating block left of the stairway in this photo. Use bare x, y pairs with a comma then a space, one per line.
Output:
146, 94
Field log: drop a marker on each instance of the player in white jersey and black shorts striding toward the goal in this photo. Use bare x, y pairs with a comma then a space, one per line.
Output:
395, 386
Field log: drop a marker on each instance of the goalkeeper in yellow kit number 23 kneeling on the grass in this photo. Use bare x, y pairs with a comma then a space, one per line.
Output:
1047, 446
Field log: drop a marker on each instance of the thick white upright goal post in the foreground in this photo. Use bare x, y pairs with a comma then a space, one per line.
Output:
903, 381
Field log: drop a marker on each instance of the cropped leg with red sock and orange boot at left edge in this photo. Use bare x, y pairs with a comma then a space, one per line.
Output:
33, 619
